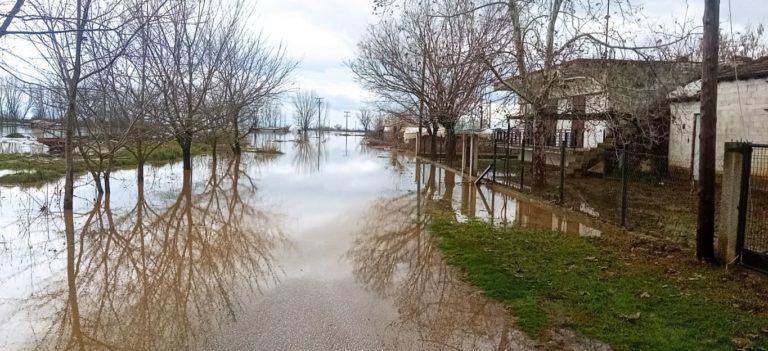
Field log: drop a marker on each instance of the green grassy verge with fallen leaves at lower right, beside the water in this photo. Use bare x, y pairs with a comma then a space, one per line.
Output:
631, 301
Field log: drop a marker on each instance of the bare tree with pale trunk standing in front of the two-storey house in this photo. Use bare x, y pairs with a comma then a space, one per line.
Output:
547, 33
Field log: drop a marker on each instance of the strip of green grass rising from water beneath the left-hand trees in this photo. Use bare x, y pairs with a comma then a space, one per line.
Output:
32, 170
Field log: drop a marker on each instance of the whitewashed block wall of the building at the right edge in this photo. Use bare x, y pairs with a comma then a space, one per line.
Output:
736, 121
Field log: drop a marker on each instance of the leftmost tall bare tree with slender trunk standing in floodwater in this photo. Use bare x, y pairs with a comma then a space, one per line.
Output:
61, 30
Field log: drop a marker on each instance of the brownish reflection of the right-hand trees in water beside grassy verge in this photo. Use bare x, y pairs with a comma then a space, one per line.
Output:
396, 259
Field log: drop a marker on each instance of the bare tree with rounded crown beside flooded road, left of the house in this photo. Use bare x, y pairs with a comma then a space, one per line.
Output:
436, 64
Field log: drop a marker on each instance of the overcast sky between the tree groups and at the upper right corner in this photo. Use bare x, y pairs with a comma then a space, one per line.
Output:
323, 34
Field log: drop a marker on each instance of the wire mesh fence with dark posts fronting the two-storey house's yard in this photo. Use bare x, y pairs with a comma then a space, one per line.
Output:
632, 189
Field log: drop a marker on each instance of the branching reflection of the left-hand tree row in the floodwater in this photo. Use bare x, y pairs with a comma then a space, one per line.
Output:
157, 277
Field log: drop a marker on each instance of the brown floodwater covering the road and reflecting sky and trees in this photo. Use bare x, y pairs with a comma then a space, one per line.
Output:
323, 248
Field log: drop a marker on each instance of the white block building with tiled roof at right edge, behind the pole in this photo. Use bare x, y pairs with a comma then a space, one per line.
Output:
742, 104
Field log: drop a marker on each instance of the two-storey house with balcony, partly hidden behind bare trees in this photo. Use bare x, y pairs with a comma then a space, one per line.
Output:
597, 99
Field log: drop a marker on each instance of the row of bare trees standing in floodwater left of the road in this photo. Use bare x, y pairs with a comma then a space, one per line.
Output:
135, 74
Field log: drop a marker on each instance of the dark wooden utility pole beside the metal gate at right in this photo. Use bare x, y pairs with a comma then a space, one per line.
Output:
705, 226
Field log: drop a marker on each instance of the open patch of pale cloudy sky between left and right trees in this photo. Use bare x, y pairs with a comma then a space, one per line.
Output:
322, 34
